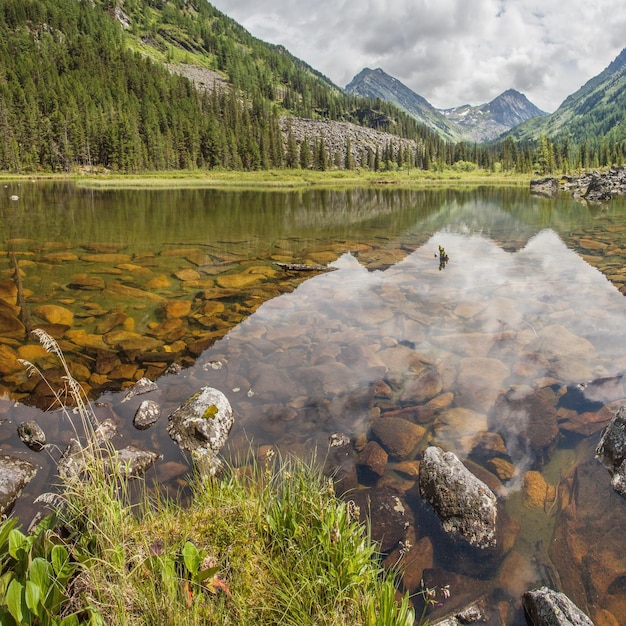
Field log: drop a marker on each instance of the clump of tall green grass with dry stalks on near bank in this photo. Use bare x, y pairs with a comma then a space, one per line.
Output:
258, 545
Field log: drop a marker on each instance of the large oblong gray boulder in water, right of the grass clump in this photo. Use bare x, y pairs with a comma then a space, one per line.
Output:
465, 505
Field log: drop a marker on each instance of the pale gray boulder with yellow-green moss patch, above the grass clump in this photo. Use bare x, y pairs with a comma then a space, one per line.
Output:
201, 425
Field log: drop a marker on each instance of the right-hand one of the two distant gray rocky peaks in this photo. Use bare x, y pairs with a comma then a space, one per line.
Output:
488, 121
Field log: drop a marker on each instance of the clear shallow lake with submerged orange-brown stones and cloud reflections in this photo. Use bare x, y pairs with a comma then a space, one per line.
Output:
509, 354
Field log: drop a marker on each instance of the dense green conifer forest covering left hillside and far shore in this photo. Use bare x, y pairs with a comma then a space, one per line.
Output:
86, 84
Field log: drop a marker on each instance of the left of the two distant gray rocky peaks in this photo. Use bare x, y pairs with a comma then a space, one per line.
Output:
377, 84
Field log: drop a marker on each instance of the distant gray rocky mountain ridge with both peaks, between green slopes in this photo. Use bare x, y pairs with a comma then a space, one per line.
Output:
463, 123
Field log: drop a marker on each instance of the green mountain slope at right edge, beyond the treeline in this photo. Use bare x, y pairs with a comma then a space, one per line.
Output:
593, 115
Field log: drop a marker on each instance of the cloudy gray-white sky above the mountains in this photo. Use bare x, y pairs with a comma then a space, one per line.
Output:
451, 52
